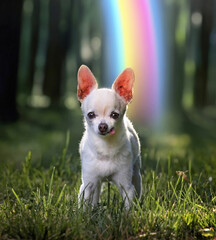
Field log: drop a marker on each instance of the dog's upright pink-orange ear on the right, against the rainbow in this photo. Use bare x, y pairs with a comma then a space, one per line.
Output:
123, 84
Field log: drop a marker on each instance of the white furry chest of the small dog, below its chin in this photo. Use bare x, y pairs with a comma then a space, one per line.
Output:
104, 159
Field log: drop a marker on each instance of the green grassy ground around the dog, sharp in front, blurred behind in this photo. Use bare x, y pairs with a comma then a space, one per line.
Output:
38, 193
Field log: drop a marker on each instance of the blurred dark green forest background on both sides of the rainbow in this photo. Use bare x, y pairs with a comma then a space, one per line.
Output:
42, 45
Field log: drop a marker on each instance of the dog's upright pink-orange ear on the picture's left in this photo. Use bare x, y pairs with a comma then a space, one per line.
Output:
86, 82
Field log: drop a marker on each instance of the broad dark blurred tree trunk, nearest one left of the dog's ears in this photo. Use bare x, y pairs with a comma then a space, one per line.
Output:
58, 42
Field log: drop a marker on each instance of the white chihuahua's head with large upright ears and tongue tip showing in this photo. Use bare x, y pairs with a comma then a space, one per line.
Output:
104, 108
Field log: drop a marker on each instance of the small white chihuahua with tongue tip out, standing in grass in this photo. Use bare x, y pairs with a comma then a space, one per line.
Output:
110, 147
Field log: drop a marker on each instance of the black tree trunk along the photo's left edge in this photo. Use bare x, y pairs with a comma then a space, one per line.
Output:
10, 24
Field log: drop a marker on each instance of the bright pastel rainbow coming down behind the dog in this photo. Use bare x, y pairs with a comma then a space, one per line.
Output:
134, 36
